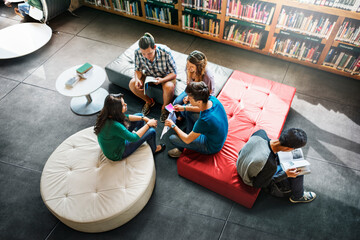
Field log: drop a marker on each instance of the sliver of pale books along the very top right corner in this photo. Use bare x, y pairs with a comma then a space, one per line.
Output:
351, 5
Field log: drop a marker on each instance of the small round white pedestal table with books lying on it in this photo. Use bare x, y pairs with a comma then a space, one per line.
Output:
88, 97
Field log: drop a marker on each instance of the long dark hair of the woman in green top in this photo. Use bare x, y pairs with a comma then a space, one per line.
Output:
112, 110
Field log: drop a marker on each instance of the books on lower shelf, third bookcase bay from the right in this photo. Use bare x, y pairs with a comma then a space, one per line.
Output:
243, 35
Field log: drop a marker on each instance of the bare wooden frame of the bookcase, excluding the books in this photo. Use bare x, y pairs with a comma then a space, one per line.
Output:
272, 29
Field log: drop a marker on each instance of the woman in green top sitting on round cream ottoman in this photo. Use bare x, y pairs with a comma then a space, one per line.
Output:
114, 130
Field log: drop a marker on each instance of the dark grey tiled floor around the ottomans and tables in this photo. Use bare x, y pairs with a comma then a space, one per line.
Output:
35, 119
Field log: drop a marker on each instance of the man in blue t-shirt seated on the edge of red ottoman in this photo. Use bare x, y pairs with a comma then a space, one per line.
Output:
209, 132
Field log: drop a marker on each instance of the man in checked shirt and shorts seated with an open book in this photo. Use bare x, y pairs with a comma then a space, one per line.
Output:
157, 62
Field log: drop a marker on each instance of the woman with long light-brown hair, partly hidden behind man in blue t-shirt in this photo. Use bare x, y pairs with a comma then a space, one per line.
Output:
196, 71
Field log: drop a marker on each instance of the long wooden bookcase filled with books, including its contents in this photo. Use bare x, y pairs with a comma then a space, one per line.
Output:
322, 34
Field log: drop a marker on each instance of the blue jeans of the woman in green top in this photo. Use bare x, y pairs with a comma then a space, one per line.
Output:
149, 137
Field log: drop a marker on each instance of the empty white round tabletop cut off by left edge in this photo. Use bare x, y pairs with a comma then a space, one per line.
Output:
22, 39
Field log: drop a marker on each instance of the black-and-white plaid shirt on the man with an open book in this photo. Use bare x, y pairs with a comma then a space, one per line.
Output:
162, 65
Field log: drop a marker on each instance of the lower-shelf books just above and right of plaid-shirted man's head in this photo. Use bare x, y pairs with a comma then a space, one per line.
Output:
160, 14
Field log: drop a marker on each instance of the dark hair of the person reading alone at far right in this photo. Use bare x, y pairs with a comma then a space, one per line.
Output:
293, 138
